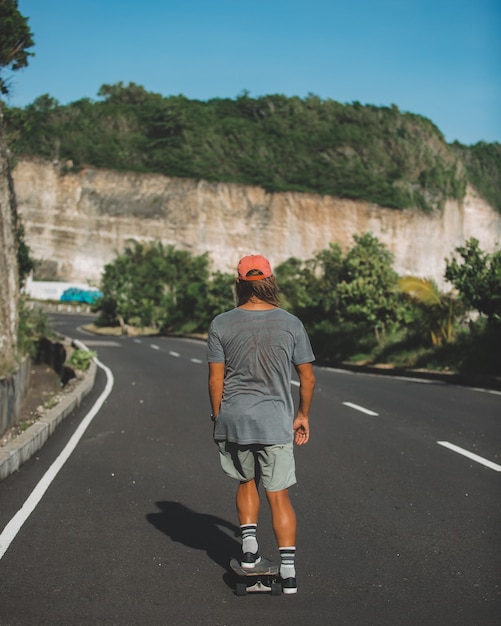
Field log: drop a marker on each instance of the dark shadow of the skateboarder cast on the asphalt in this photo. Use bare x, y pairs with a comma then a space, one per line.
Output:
200, 531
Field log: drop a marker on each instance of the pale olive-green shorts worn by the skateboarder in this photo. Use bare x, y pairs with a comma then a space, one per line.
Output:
273, 464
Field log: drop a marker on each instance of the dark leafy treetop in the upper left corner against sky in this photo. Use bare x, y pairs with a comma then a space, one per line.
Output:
15, 39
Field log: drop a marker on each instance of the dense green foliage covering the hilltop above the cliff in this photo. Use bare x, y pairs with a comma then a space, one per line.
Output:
378, 154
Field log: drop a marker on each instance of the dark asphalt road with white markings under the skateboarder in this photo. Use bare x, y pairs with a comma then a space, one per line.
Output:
139, 525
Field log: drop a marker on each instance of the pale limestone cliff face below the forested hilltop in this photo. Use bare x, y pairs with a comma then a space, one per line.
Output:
79, 221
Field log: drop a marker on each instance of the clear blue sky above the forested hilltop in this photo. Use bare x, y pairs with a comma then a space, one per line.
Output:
437, 58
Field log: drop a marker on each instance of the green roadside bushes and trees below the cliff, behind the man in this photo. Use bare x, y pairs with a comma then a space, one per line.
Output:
355, 306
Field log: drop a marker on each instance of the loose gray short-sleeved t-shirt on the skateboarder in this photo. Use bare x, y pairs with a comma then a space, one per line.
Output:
258, 349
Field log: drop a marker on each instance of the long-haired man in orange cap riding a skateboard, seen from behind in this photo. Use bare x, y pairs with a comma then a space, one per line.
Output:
250, 352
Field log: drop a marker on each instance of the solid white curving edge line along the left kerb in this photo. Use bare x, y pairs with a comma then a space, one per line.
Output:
10, 532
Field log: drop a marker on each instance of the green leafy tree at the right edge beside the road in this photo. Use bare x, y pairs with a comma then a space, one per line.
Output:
477, 279
